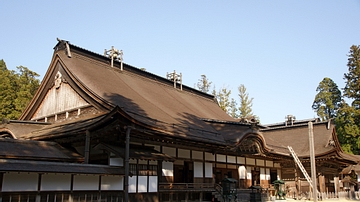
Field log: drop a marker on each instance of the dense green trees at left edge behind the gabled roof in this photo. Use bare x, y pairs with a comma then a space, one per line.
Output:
16, 90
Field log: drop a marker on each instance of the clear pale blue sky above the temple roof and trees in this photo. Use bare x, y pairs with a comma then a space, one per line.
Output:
280, 50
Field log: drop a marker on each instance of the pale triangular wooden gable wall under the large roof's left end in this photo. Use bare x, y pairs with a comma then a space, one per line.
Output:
60, 98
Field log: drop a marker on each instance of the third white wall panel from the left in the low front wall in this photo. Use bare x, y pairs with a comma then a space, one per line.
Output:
86, 182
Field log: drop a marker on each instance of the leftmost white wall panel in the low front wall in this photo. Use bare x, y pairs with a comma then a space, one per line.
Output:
20, 182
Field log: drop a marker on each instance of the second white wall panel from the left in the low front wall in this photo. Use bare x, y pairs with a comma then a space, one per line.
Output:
55, 182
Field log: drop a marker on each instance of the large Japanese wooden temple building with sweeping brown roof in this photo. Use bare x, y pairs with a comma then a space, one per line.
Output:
101, 129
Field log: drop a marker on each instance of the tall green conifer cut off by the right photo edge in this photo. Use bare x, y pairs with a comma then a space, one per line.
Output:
348, 116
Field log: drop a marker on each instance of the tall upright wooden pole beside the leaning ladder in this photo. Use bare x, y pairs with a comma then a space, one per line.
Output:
312, 161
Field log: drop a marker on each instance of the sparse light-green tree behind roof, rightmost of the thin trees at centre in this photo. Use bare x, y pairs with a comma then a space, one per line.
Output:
245, 107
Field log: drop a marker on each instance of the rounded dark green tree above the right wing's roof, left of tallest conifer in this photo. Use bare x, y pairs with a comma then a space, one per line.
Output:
327, 100
